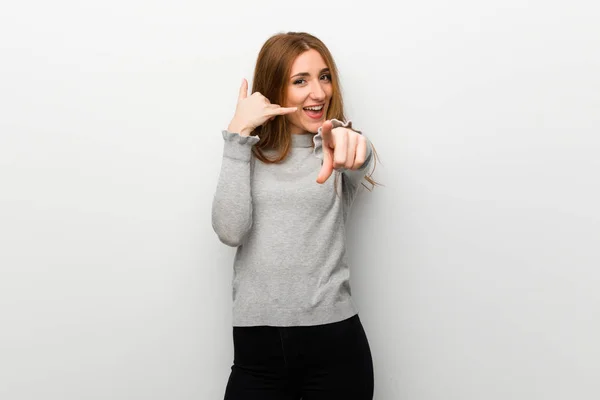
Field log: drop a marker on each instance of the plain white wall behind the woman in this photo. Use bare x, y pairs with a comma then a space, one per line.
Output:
475, 269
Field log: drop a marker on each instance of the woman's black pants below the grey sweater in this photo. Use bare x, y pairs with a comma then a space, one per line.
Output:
322, 362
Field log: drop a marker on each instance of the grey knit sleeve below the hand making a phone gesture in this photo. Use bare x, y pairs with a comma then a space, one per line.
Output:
232, 202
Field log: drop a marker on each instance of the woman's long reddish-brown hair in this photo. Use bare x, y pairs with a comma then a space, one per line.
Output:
271, 73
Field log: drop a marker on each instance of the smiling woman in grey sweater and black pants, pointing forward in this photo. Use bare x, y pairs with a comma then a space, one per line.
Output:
296, 330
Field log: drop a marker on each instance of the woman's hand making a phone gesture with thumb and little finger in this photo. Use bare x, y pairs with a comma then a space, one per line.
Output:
251, 112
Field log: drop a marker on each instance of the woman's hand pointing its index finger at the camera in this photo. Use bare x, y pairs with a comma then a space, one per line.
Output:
342, 149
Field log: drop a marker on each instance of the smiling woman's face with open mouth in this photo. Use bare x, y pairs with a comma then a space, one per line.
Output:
309, 86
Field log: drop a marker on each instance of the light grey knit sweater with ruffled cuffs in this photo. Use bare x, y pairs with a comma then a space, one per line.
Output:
290, 268
